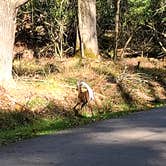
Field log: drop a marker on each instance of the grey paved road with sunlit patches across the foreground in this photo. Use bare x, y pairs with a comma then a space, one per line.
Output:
134, 140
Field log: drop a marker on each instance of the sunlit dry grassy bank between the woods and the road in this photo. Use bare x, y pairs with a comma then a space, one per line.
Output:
46, 89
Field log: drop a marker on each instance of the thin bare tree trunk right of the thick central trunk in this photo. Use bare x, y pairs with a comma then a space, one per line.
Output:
117, 27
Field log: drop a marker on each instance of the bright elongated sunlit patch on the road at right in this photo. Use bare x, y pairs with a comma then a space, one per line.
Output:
126, 136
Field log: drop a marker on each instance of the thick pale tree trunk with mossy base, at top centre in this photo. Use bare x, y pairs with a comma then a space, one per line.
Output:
87, 28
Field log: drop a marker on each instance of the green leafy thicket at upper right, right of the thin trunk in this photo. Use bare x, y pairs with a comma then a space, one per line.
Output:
144, 21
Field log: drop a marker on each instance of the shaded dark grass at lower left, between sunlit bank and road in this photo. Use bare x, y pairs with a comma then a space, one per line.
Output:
20, 125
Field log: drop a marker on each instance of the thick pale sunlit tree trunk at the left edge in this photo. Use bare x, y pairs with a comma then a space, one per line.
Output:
8, 11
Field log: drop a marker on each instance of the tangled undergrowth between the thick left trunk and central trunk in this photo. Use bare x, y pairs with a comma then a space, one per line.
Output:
46, 25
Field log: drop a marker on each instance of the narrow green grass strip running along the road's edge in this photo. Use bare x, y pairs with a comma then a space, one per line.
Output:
41, 127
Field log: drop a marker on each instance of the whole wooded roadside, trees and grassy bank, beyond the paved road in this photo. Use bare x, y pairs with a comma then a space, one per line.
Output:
117, 47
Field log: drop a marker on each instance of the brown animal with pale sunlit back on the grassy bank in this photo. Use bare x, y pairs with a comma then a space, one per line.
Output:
84, 97
